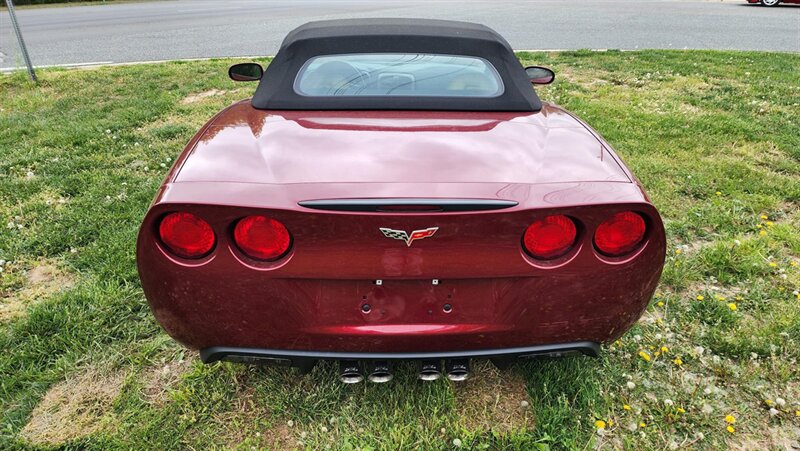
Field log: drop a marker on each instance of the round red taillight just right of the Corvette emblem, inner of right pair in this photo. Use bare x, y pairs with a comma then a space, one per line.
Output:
550, 237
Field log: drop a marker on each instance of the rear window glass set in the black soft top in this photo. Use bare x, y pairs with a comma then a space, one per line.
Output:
398, 74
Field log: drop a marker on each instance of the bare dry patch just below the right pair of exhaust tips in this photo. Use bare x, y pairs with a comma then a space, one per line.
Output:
493, 400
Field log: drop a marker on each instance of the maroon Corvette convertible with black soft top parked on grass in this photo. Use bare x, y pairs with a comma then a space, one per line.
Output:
395, 190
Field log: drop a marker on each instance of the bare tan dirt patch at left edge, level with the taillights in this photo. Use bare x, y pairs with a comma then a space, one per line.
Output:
43, 280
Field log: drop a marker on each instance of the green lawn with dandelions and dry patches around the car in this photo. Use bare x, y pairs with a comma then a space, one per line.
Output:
714, 136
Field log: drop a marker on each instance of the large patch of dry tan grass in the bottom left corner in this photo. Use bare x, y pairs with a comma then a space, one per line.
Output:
75, 408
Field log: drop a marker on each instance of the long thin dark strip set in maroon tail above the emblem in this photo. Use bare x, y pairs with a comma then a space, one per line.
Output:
427, 205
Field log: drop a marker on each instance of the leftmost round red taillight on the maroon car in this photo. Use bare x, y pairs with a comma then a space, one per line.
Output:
186, 235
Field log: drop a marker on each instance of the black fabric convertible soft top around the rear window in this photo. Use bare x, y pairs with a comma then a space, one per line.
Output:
335, 37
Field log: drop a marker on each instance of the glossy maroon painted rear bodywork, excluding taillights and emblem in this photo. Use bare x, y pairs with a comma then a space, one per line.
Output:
247, 161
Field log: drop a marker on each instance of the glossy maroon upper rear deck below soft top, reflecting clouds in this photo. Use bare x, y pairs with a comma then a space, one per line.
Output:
286, 147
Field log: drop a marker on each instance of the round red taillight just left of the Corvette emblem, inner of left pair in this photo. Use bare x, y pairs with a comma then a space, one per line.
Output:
262, 238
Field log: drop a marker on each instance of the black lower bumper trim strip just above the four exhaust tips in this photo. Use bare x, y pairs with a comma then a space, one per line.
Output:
305, 359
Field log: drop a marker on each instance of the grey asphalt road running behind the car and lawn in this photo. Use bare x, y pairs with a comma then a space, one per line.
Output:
126, 32
